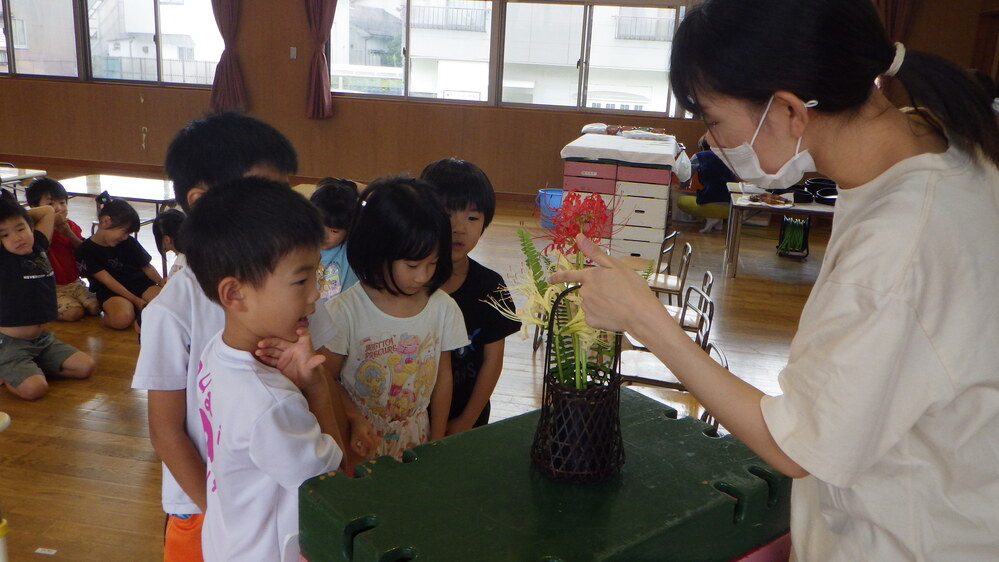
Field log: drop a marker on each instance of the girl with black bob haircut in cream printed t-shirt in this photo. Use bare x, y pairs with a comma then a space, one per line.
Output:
397, 328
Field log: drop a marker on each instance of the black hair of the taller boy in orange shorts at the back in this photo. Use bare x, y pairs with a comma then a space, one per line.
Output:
221, 147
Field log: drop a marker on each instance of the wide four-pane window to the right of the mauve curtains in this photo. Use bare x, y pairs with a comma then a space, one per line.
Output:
553, 53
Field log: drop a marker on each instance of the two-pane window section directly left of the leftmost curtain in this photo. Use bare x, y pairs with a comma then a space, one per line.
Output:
124, 45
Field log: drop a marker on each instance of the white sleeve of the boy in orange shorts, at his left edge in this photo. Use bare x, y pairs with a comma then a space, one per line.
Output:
164, 351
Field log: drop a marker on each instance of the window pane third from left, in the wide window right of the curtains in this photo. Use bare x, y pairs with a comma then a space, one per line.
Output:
542, 53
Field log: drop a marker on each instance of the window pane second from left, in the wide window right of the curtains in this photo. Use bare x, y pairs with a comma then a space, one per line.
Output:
449, 49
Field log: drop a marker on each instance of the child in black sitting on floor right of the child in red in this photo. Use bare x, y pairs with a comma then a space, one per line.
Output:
117, 266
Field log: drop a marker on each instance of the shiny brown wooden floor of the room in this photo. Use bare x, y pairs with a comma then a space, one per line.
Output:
80, 477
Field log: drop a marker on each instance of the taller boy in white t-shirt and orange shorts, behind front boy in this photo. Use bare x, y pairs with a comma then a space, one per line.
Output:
177, 325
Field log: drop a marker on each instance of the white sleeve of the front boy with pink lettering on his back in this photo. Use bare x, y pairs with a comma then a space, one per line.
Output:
288, 446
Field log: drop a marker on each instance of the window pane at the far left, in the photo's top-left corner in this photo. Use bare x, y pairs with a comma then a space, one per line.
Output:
44, 37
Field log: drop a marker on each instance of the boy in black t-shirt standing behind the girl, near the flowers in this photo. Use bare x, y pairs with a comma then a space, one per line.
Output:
470, 200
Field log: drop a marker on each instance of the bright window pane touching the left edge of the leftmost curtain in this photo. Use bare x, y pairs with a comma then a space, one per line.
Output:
191, 44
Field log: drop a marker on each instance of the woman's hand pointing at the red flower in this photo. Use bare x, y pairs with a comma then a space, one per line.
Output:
612, 292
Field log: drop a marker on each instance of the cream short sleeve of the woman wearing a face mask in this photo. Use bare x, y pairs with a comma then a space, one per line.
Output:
861, 373
